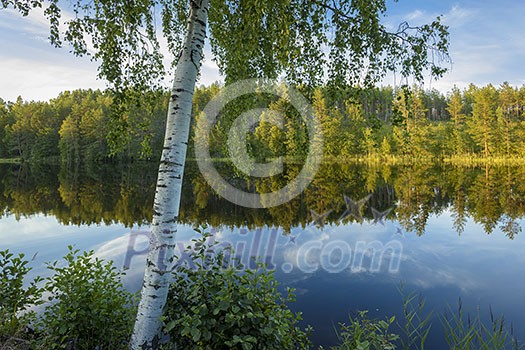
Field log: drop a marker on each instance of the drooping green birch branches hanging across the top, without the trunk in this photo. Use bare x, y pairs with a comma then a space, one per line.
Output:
310, 41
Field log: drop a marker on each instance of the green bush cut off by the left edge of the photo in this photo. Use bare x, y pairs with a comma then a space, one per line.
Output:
15, 299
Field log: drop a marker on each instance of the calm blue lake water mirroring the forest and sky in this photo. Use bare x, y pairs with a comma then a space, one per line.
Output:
440, 231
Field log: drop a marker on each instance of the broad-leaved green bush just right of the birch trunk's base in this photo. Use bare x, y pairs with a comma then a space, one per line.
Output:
216, 306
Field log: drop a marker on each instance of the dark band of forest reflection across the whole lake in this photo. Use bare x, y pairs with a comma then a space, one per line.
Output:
492, 196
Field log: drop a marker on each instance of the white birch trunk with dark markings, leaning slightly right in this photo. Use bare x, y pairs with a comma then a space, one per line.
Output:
161, 256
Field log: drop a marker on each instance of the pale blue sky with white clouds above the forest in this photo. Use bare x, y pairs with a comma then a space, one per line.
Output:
487, 45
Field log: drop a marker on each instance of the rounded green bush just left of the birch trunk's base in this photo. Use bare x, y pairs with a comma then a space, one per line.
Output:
89, 307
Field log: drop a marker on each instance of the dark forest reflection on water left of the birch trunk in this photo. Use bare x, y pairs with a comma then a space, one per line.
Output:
95, 194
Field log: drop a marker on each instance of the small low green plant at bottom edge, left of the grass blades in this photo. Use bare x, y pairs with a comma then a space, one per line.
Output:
365, 334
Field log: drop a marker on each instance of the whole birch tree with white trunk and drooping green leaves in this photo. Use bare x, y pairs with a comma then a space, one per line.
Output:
339, 43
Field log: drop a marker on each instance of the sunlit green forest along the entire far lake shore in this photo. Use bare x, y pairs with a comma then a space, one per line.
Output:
384, 123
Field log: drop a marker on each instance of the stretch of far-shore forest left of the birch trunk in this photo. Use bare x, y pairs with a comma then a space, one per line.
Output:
75, 128
